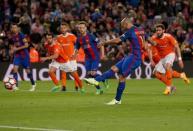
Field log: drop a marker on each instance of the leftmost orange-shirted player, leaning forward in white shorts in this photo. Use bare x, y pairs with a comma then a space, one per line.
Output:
59, 61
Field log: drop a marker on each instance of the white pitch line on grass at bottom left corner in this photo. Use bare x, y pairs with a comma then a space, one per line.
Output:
29, 128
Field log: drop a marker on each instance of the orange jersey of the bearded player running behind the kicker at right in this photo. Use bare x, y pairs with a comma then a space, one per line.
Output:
165, 45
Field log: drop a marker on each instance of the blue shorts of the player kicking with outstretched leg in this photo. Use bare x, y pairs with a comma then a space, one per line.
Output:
128, 64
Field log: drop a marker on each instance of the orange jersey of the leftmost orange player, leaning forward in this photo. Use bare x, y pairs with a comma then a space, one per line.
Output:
57, 49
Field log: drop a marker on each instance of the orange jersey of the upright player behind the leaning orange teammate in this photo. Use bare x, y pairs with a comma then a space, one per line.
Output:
67, 41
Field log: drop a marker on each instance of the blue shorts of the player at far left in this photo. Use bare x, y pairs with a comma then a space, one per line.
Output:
24, 62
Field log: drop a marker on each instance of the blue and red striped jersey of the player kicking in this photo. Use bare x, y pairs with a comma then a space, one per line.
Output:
136, 37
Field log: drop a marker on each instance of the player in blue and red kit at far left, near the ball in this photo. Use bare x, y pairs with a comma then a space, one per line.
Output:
21, 55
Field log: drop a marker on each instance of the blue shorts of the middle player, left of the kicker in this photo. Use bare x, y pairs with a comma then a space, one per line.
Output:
91, 65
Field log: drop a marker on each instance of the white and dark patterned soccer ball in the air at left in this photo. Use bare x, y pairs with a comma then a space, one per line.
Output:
10, 83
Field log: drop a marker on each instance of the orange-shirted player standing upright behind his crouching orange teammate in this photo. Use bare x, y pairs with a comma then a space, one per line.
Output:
67, 41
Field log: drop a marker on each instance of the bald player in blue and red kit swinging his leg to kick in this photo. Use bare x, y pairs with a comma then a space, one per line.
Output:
129, 63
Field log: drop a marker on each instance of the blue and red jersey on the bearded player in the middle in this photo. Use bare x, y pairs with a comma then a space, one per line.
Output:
89, 44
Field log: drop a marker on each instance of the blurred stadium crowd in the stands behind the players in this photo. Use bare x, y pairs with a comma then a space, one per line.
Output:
37, 17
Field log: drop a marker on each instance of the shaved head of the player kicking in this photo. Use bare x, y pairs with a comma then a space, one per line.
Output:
126, 23
